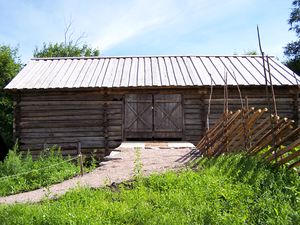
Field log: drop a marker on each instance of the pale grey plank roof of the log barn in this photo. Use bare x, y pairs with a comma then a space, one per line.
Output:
148, 71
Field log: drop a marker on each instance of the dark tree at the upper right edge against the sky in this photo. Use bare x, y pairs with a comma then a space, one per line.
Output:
292, 50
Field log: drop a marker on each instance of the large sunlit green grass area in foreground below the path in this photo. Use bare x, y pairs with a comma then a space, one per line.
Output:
233, 189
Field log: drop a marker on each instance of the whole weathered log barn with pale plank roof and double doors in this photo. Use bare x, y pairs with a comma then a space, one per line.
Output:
102, 101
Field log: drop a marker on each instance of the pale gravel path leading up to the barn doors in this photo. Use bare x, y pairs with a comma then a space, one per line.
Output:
117, 168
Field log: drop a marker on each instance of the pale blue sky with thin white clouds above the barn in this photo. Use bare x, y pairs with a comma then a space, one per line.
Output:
153, 27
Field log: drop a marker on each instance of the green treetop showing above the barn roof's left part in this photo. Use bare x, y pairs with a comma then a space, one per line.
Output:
64, 50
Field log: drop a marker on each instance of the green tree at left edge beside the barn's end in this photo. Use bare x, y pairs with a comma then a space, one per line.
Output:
9, 66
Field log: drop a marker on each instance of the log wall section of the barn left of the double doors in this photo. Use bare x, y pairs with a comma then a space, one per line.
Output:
64, 118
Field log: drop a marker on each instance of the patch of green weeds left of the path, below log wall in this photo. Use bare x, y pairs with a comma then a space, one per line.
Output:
42, 173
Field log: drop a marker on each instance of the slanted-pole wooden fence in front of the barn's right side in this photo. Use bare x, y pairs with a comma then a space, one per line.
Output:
256, 132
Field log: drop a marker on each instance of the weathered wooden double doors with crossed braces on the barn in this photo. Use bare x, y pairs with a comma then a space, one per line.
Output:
153, 116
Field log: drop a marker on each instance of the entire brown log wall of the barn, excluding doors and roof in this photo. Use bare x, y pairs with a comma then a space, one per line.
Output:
96, 117
